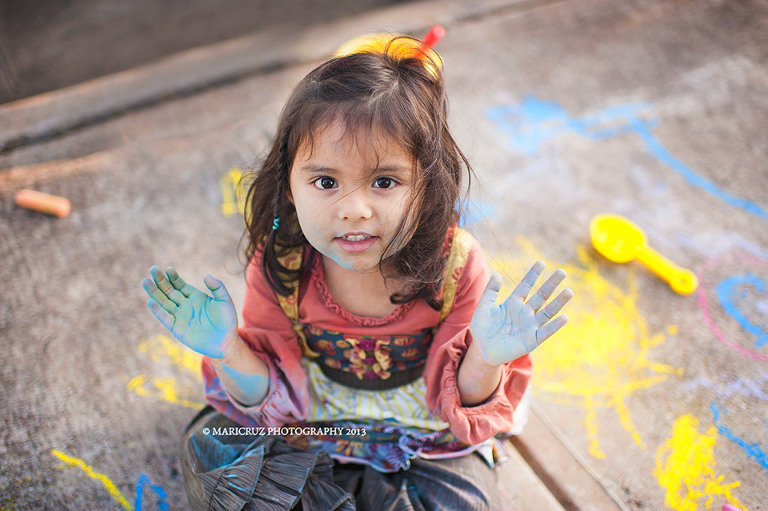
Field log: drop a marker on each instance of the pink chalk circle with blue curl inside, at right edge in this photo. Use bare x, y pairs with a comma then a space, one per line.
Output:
738, 314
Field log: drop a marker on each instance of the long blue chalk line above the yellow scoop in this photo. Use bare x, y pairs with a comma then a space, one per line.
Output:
534, 121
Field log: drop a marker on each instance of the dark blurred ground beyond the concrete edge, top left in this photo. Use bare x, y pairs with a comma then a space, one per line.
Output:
45, 46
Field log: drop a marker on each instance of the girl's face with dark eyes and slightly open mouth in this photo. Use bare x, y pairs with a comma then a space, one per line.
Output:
350, 195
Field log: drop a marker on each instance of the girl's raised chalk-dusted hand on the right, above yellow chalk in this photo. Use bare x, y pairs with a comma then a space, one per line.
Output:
516, 327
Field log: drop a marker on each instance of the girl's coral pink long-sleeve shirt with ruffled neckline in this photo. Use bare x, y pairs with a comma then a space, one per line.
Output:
269, 334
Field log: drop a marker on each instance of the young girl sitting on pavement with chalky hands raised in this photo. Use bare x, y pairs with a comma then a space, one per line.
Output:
370, 334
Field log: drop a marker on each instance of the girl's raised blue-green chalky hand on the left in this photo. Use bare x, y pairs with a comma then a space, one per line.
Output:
205, 324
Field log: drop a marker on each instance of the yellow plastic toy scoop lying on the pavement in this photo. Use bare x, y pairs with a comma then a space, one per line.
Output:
621, 241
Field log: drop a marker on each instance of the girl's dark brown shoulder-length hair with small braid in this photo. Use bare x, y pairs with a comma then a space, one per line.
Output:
395, 93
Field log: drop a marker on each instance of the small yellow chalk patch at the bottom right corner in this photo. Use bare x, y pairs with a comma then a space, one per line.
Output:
685, 468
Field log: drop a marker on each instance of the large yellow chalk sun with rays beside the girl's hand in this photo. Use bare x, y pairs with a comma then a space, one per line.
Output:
602, 356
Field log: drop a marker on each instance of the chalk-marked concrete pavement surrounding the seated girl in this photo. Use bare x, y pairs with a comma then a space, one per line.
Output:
653, 110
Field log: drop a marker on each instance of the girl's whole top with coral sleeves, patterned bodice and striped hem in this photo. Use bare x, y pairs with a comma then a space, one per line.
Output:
381, 428
